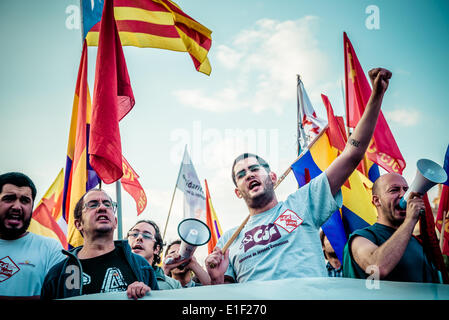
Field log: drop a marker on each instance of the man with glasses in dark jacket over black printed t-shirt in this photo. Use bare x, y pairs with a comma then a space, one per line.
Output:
101, 264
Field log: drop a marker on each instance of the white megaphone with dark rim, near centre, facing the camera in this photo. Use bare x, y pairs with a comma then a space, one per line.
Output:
193, 233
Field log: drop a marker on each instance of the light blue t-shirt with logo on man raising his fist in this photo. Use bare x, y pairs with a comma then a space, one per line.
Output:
284, 242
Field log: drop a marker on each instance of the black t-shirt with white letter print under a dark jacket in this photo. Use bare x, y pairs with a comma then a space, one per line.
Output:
107, 273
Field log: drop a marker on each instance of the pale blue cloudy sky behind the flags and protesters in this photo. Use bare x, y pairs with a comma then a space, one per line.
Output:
248, 103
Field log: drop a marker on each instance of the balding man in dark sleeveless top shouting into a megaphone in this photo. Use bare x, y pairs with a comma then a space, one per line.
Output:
388, 249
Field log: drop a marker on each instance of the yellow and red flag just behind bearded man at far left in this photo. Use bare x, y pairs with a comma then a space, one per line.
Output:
48, 211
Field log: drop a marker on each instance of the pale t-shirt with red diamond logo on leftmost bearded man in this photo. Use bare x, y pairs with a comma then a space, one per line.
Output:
25, 262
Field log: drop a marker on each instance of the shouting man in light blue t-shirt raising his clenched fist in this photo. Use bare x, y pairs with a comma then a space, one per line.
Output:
281, 239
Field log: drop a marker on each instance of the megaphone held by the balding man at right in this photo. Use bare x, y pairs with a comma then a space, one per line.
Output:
429, 173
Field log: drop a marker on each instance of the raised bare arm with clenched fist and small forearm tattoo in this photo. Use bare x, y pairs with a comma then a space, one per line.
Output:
340, 170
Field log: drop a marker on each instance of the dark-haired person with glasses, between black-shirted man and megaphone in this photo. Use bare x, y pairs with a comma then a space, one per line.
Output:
145, 239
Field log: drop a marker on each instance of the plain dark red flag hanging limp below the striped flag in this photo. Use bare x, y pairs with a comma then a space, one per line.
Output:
113, 99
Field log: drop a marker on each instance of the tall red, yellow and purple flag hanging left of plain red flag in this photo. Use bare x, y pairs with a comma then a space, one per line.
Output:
79, 176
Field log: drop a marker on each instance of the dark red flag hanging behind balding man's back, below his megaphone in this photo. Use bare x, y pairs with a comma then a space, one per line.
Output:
430, 241
